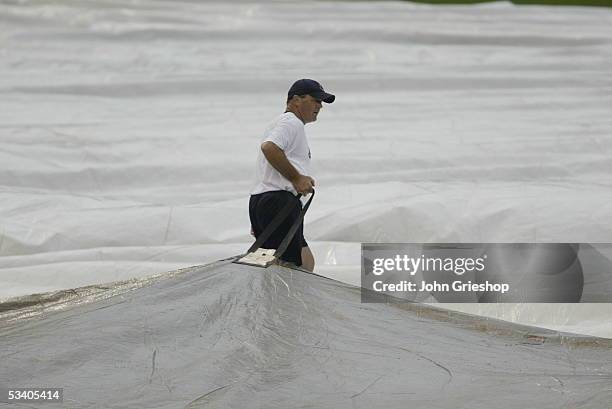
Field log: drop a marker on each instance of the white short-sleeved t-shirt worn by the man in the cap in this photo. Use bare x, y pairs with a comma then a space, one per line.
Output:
286, 132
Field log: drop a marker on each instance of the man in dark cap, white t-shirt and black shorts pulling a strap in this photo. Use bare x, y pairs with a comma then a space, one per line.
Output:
283, 170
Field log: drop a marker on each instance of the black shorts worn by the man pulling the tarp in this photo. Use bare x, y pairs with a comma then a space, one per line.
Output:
263, 207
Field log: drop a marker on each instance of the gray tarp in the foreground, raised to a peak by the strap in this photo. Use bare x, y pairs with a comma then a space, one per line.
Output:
234, 336
